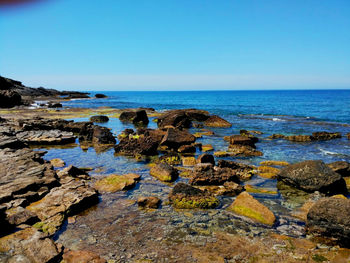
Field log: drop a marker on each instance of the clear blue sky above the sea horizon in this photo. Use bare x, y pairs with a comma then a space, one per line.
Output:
177, 44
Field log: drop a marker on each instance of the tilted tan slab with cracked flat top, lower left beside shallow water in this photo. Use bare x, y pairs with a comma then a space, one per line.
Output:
71, 197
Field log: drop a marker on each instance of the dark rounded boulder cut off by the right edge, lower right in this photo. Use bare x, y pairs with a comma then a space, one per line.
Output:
330, 217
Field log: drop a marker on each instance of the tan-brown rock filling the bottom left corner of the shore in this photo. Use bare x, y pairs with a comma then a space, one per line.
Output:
30, 245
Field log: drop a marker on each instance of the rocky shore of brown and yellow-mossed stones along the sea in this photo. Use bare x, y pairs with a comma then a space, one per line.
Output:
38, 197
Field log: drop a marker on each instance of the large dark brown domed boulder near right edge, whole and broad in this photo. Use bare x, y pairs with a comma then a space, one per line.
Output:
313, 176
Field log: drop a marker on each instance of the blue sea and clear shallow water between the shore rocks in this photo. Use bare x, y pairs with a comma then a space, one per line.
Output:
117, 229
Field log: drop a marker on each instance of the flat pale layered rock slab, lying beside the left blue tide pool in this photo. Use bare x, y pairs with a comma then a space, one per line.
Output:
46, 137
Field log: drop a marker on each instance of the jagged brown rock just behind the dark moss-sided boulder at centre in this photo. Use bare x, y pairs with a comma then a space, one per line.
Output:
207, 174
